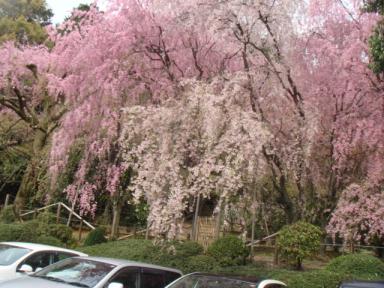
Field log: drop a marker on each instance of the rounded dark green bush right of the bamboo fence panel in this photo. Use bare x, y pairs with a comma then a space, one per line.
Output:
228, 251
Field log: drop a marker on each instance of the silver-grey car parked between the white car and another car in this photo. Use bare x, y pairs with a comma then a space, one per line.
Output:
97, 272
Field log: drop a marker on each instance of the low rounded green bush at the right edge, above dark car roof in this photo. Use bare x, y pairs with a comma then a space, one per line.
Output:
362, 266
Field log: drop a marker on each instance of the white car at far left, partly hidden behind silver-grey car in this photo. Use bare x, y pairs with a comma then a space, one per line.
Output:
18, 259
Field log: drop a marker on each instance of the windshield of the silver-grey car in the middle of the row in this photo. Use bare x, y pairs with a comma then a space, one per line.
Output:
76, 271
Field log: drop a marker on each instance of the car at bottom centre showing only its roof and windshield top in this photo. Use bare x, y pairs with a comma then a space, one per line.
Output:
203, 280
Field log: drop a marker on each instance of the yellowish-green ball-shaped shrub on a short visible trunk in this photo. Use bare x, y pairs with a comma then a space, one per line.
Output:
298, 241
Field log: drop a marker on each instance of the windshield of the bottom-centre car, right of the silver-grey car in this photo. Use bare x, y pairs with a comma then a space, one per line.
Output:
207, 281
